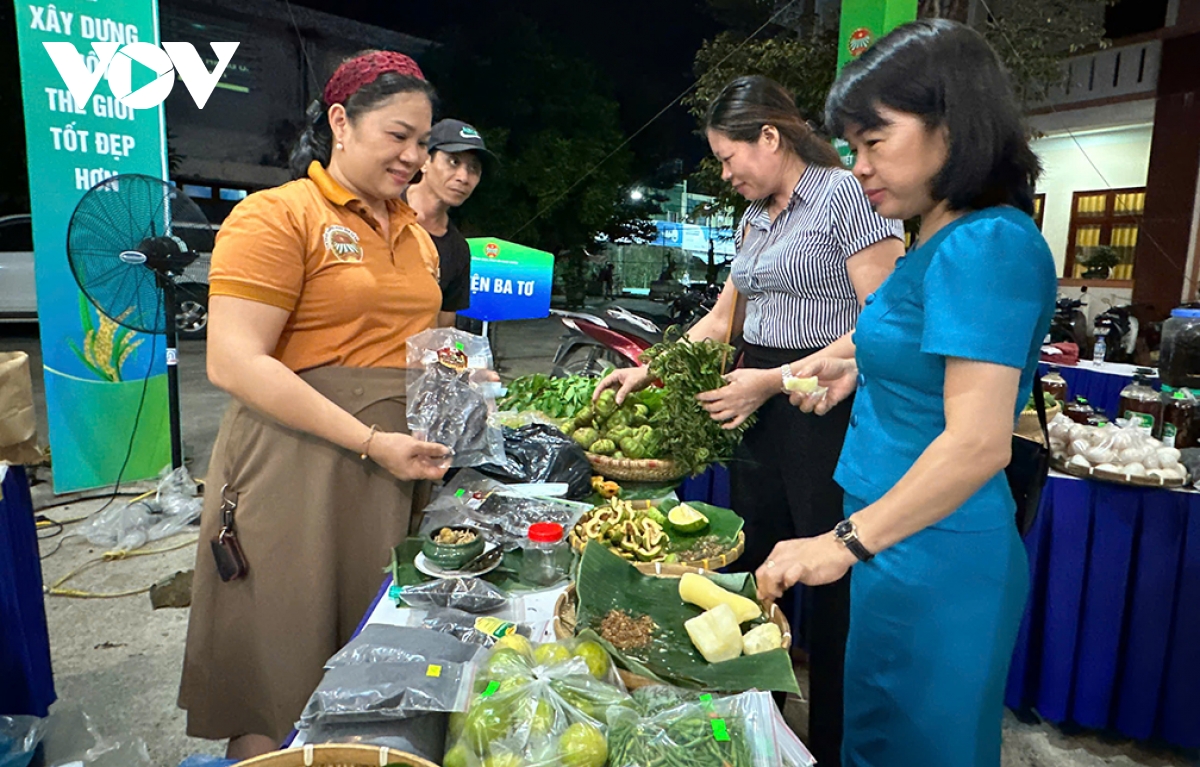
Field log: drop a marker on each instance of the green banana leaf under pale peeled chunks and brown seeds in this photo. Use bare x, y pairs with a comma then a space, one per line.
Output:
608, 583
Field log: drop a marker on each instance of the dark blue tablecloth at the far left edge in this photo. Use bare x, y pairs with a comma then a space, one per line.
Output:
27, 688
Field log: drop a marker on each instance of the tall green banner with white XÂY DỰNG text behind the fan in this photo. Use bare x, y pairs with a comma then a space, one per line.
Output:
100, 379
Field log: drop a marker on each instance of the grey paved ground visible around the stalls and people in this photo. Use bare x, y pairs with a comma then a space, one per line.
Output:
118, 661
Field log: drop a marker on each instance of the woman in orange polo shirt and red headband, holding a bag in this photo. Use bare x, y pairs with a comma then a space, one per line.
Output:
315, 289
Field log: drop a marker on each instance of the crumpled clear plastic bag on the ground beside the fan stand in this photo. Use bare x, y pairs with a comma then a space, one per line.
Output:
175, 507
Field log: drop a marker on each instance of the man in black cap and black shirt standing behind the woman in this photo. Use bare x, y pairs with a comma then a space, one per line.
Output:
449, 177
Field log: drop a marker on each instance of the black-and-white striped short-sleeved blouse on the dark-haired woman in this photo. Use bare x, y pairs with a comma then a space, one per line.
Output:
794, 271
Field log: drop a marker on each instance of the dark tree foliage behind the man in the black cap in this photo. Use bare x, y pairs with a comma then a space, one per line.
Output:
551, 119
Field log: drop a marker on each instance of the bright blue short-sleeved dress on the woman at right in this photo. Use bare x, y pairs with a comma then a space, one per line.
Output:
934, 619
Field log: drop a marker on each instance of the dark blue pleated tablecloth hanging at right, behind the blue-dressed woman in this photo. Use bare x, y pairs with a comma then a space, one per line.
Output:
1112, 634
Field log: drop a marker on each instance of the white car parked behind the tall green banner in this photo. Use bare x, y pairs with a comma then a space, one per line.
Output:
19, 293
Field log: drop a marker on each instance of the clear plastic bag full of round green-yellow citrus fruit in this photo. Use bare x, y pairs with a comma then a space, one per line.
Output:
538, 706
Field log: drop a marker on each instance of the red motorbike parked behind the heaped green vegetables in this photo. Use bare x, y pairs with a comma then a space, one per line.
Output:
595, 344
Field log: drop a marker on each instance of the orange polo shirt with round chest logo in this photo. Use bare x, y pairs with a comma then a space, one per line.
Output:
315, 250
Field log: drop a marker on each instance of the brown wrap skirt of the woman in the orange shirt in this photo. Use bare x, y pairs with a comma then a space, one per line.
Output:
317, 526
